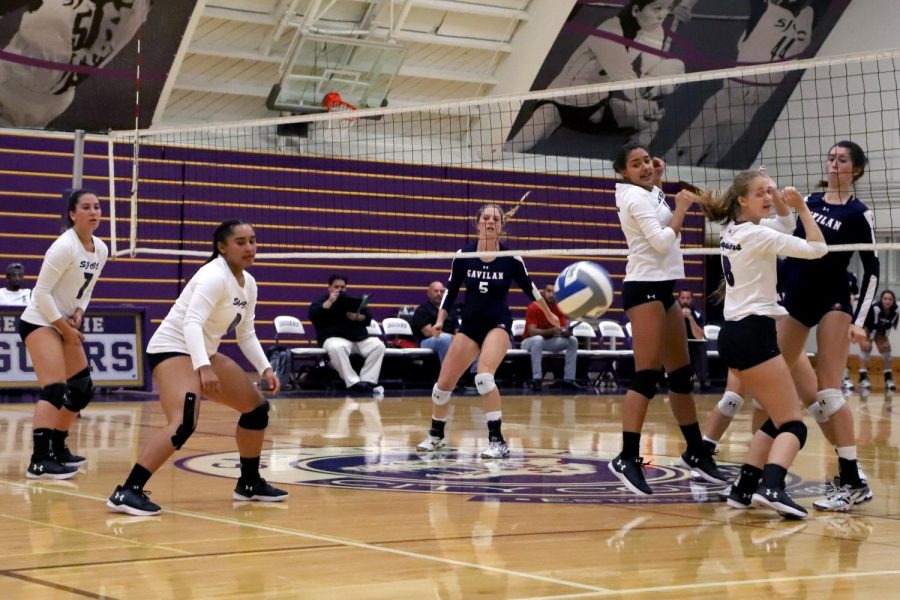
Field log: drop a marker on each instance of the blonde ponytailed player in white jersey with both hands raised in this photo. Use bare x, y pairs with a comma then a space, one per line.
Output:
748, 342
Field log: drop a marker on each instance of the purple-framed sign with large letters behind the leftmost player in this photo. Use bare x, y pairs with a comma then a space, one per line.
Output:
114, 343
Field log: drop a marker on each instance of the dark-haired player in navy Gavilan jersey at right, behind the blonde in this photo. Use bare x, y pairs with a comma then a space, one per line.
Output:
816, 294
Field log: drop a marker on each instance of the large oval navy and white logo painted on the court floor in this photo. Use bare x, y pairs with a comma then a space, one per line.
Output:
546, 476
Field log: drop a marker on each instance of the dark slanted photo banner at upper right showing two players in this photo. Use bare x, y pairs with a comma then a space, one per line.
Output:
711, 124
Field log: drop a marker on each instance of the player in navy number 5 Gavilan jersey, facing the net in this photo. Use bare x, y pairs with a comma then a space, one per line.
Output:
485, 328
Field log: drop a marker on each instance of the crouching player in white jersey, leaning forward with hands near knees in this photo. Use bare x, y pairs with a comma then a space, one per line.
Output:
183, 354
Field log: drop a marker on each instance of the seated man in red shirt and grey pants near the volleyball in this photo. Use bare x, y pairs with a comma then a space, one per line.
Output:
541, 336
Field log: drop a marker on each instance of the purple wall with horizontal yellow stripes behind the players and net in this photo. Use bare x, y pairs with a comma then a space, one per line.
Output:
297, 203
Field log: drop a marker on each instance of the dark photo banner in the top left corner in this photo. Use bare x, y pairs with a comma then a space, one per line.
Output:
71, 64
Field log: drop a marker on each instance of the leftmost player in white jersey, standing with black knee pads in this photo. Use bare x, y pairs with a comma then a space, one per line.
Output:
50, 327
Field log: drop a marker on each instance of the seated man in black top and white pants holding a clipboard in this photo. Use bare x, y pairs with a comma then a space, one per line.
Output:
341, 331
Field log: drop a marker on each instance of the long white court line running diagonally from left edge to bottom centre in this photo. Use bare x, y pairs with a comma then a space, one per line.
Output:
340, 541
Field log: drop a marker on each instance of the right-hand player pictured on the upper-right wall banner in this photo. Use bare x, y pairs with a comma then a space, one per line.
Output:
777, 30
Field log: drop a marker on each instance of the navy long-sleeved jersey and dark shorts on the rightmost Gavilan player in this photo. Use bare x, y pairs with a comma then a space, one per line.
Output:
826, 278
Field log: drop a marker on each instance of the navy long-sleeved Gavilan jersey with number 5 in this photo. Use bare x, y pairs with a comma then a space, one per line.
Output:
487, 286
